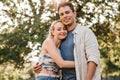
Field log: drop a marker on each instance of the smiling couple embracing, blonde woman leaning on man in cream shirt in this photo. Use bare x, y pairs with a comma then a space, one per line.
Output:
69, 47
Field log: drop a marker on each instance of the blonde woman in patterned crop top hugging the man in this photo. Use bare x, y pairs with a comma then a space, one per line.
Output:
51, 59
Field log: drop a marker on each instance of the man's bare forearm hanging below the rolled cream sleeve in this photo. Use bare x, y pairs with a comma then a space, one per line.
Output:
91, 68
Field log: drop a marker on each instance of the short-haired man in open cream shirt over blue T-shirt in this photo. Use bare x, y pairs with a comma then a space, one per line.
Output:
80, 46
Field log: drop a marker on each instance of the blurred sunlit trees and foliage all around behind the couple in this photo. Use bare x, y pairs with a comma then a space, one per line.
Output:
24, 25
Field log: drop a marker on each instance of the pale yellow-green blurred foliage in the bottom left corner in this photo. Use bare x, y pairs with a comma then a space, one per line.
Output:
8, 72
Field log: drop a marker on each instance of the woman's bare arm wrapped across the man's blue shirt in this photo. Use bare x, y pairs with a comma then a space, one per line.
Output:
49, 45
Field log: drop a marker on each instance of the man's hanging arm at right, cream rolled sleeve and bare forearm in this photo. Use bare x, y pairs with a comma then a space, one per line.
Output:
92, 54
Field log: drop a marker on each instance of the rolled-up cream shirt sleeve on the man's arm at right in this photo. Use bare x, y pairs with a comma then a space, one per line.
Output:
91, 47
